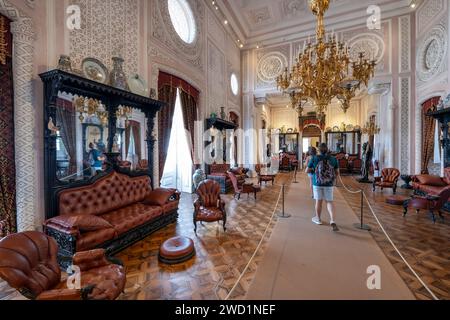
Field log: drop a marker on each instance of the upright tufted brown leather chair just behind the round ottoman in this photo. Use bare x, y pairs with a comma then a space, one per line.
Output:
209, 207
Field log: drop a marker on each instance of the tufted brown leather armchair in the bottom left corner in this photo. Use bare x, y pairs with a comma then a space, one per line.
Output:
28, 262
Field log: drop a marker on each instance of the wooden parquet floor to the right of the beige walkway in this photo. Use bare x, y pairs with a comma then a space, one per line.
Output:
426, 246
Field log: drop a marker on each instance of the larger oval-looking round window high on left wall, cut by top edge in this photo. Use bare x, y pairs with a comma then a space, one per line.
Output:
183, 20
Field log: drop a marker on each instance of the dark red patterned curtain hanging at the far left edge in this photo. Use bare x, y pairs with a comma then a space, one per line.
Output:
8, 223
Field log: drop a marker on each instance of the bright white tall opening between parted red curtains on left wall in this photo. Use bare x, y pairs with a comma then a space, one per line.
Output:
178, 168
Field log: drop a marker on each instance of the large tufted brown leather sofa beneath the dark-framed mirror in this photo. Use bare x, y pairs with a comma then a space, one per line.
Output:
113, 213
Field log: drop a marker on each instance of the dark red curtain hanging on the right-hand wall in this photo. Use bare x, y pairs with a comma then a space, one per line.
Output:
428, 127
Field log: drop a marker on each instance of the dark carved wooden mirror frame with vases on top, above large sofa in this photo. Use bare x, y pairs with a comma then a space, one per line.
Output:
56, 81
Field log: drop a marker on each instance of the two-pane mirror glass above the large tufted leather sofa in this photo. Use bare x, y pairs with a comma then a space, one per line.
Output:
83, 136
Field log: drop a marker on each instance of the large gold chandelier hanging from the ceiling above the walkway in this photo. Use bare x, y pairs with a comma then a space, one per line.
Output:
324, 71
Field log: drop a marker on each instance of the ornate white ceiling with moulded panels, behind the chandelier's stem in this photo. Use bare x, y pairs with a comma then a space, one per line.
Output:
271, 21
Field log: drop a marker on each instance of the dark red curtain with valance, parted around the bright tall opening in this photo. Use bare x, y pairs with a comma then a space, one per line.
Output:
167, 88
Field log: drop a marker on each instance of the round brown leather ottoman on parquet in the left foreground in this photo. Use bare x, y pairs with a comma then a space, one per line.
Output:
177, 250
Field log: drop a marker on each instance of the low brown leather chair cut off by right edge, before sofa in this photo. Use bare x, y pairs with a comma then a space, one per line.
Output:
432, 203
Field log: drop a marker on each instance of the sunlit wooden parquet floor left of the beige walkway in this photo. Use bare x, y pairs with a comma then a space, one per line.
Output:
221, 257
